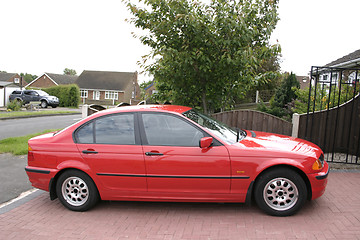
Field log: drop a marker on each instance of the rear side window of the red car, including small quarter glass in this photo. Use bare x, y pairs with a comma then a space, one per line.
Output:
113, 129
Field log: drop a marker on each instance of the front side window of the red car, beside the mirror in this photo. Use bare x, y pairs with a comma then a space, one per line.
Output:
168, 130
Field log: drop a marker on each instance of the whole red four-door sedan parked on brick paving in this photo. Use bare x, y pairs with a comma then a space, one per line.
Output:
174, 153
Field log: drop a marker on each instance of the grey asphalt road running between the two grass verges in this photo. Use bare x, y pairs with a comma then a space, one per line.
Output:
24, 126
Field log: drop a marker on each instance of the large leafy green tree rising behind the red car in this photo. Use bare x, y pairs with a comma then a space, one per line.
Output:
206, 55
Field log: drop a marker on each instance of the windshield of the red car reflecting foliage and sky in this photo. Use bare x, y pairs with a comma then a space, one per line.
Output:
219, 129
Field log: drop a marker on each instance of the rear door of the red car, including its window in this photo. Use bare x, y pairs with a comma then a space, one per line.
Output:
111, 147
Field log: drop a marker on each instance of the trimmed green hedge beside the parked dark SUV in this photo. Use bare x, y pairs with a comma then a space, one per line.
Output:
69, 95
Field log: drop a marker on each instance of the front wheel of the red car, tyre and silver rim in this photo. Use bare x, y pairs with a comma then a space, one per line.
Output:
280, 192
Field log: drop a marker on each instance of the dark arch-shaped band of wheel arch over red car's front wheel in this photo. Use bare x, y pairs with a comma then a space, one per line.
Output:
270, 168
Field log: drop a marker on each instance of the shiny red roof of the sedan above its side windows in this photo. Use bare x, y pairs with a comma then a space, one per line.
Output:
148, 108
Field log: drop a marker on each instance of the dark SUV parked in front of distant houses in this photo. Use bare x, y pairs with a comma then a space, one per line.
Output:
27, 96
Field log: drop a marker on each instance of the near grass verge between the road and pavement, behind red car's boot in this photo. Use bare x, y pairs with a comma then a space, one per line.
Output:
18, 145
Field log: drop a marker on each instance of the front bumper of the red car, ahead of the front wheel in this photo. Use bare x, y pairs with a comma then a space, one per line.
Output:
319, 181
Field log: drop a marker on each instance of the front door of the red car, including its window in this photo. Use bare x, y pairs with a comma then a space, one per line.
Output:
175, 162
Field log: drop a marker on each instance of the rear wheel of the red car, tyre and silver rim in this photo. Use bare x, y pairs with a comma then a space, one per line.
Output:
76, 191
